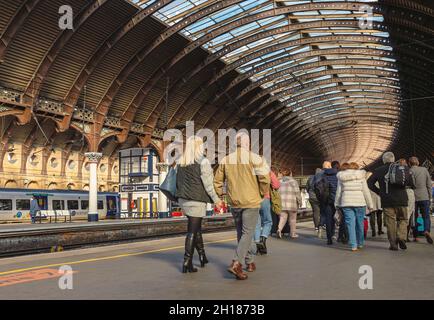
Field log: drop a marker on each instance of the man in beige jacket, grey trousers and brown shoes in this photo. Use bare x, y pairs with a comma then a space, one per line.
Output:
248, 179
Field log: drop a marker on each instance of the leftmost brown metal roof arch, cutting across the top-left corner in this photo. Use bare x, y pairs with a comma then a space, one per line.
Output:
15, 24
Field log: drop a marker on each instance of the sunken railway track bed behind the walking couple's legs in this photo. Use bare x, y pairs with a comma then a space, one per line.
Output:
26, 238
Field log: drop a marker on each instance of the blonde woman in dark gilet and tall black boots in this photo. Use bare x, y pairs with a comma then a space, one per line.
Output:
194, 189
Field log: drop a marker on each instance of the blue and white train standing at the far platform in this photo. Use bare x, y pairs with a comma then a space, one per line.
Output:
15, 203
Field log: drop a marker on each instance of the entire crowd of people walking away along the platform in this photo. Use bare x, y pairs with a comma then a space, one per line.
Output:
341, 196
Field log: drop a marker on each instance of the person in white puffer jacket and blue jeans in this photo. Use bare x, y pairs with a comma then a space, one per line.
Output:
353, 197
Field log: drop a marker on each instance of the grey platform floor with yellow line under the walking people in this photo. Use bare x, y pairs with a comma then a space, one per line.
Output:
305, 268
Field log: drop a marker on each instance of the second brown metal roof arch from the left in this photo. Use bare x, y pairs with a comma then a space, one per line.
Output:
34, 86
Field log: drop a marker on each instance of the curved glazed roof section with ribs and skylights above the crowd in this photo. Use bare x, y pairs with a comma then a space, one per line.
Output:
326, 68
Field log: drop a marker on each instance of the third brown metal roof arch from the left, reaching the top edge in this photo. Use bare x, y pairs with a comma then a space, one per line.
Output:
74, 92
